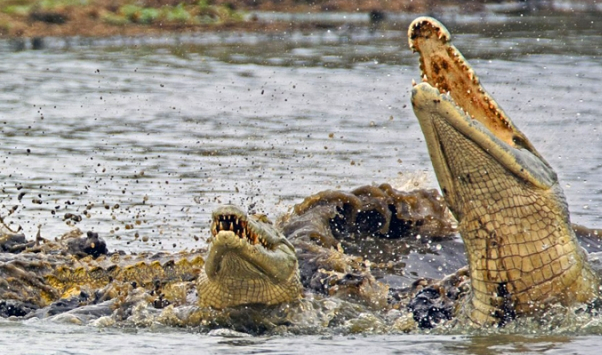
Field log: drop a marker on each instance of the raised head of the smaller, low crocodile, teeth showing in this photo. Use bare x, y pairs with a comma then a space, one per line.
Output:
249, 262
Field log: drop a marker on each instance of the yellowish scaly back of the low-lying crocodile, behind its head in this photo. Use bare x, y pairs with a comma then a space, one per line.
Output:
42, 274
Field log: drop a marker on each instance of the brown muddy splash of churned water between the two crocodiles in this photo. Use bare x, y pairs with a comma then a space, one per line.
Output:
372, 244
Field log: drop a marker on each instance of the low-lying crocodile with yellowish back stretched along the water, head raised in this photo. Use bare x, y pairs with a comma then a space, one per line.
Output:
248, 262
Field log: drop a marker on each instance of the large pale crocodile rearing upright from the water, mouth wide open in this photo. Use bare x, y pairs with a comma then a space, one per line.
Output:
512, 214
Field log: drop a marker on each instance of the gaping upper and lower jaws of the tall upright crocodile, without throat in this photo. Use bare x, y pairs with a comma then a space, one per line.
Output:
451, 92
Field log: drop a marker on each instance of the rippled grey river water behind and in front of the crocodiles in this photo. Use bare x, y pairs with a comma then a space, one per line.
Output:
143, 137
